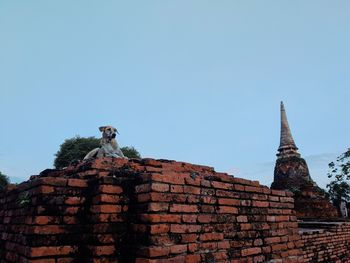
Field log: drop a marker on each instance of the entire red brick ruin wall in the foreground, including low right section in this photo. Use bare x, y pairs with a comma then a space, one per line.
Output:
157, 211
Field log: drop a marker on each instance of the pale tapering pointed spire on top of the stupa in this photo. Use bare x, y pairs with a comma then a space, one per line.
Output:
287, 146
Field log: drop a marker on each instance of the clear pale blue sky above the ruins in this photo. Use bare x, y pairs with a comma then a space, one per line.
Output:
196, 81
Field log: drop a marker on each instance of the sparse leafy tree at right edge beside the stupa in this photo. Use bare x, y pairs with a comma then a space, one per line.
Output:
339, 171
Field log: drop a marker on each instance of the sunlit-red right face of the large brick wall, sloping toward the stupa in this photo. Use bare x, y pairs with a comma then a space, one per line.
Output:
193, 214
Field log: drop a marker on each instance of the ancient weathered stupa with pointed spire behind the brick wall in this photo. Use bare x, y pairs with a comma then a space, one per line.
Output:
292, 173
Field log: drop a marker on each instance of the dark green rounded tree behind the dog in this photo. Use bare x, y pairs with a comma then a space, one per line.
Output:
75, 149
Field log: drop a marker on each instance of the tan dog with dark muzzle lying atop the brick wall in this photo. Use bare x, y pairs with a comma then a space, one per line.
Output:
109, 146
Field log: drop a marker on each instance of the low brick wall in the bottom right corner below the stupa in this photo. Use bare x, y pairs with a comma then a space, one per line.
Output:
329, 243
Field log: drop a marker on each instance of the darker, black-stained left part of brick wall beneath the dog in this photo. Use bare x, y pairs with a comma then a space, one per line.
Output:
63, 216
